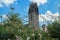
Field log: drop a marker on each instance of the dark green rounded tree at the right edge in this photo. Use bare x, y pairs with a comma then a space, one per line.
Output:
54, 30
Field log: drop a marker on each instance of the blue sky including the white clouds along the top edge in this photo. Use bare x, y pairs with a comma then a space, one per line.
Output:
21, 6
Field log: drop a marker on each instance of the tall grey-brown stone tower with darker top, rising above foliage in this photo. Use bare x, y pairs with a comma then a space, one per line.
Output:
33, 16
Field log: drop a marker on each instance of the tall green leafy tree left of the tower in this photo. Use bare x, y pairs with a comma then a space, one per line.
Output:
11, 27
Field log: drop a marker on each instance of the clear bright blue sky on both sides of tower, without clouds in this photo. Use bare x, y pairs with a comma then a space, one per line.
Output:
21, 6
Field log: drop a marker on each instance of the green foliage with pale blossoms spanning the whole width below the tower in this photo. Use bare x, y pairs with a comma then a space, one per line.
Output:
13, 27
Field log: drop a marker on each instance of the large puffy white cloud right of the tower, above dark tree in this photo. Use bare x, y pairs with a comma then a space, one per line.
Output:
48, 16
